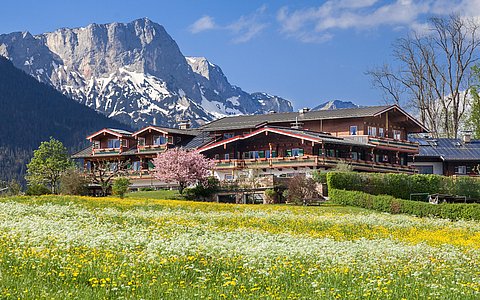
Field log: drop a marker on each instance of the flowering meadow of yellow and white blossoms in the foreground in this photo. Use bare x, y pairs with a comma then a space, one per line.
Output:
142, 248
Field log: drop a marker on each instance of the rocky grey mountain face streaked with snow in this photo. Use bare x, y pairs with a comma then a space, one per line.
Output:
133, 72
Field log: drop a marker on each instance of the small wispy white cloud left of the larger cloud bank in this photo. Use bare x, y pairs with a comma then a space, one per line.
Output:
244, 29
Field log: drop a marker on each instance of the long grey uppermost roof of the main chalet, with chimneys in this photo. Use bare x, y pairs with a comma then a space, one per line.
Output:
255, 121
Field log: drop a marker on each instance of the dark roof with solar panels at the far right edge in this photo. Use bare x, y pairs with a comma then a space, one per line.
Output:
449, 149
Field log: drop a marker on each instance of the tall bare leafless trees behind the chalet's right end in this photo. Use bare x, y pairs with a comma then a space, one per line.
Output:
434, 72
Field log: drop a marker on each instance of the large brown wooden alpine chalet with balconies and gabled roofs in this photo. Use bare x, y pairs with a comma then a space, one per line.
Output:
372, 139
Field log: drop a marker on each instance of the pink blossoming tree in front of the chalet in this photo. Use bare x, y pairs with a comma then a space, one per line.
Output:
181, 166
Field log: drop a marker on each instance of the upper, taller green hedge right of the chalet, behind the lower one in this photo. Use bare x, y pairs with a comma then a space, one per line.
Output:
403, 185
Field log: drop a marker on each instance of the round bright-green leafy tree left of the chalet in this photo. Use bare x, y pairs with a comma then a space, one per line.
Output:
48, 163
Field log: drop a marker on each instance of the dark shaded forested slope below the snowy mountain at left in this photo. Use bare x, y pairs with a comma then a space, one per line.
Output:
31, 112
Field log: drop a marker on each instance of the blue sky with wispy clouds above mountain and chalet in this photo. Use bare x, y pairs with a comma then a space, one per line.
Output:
306, 51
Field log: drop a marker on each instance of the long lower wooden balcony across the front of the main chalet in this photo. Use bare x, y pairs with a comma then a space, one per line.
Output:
311, 161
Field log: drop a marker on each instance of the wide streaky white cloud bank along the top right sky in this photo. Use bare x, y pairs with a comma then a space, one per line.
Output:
316, 24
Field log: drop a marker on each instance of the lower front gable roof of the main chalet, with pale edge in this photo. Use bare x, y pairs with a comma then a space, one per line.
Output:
316, 137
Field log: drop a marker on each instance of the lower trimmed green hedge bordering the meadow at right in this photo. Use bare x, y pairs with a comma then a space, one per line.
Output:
389, 204
